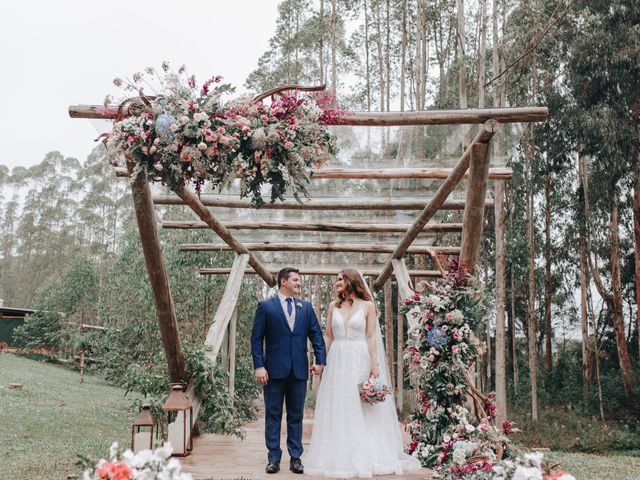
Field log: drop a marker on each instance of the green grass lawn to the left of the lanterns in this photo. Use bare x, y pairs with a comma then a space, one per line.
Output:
54, 418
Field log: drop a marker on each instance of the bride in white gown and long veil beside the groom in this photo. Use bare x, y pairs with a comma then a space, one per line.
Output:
351, 438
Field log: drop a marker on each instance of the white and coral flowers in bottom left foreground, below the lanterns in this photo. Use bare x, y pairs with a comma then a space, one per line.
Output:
144, 465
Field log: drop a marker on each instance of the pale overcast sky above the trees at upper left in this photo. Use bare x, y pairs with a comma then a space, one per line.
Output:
58, 53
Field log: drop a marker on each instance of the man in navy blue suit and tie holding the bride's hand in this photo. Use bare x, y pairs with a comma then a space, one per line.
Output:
281, 326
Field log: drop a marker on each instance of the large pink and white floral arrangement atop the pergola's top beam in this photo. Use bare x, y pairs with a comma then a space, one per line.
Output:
185, 133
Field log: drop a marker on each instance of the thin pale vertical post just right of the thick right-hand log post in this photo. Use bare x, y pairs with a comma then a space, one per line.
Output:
501, 372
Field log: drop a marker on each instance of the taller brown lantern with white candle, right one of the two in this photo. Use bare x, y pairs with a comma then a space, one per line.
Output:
177, 415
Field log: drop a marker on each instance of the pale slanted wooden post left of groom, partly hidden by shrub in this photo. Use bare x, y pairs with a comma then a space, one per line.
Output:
221, 320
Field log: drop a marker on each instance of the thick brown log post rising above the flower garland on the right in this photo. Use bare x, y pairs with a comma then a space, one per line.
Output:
473, 218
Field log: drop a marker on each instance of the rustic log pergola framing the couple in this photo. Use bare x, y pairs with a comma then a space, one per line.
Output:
393, 240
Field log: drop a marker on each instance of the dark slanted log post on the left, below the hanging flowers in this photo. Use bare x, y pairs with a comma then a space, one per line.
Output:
158, 278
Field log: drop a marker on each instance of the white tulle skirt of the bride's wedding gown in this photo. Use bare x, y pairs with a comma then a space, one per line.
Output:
351, 438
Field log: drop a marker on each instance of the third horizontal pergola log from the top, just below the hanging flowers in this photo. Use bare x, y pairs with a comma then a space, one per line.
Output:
227, 201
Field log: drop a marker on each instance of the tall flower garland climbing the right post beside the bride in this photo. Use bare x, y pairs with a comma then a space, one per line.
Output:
441, 349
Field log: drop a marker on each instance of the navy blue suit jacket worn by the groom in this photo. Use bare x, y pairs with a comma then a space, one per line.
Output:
278, 349
